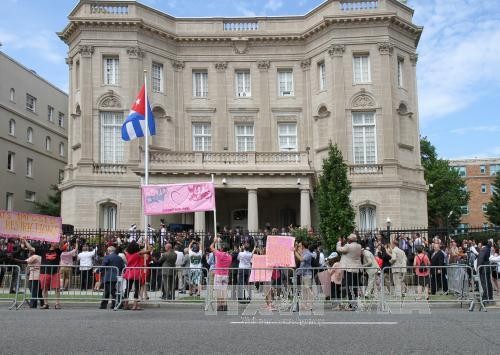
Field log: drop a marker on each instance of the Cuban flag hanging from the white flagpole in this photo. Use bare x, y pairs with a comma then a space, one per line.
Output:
135, 123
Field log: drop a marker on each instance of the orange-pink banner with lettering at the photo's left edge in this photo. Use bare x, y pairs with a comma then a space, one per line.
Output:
30, 226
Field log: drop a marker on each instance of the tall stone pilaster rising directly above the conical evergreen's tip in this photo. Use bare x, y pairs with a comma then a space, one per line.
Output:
338, 127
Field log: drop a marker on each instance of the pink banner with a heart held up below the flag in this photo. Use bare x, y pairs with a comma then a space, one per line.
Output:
178, 198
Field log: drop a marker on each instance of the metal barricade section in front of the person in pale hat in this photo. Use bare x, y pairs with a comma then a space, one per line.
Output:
338, 288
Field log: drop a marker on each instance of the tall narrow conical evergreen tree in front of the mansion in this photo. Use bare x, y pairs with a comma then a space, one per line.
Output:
336, 213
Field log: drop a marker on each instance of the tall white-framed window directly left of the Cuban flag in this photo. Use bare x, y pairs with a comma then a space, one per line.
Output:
112, 146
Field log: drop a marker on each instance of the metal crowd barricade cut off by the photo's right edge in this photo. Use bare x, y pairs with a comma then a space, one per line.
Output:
488, 285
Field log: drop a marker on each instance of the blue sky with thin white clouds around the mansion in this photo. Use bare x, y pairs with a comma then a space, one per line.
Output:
458, 68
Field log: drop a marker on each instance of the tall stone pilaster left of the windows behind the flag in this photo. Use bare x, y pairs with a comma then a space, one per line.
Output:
86, 53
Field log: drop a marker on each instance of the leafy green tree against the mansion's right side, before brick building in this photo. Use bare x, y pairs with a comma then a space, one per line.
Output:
447, 190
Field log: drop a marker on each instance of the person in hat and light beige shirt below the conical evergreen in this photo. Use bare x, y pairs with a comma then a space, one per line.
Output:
351, 263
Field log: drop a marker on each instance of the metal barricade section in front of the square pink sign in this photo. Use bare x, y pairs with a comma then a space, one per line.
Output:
272, 289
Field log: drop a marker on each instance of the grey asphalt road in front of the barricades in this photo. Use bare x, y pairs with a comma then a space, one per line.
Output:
187, 329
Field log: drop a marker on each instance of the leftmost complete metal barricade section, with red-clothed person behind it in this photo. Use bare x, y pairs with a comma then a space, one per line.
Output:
56, 285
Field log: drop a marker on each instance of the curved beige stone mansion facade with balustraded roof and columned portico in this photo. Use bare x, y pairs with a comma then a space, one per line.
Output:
254, 101
